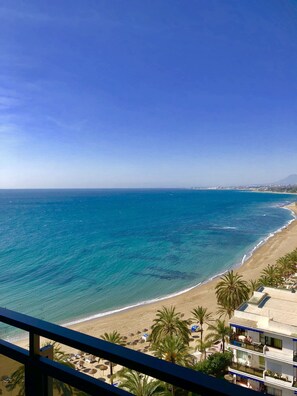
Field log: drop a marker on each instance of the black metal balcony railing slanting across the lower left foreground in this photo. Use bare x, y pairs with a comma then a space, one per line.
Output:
39, 368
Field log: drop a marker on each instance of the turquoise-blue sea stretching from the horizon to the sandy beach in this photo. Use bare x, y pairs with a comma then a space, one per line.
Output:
66, 255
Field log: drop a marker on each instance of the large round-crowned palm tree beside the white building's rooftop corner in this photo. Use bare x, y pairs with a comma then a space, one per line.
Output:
231, 291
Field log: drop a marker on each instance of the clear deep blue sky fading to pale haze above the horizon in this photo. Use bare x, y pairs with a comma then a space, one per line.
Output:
147, 93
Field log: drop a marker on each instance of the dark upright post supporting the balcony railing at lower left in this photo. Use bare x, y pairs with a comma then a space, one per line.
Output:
37, 383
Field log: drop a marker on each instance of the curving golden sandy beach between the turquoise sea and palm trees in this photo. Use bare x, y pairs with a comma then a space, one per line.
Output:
135, 318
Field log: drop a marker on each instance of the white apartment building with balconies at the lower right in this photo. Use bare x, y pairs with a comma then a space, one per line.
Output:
264, 342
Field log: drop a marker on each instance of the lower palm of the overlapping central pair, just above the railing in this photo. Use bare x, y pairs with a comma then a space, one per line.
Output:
172, 349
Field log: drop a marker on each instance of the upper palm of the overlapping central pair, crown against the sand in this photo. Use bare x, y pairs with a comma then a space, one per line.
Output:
169, 322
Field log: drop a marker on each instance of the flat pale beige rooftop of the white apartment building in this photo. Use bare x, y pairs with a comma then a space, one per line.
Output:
269, 309
